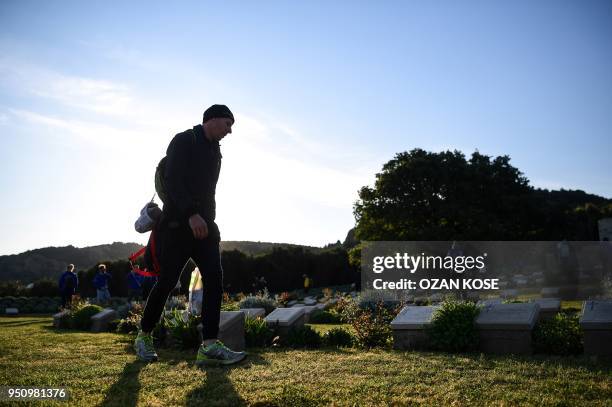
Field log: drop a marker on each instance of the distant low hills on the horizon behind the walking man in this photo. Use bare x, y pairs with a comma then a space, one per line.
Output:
49, 262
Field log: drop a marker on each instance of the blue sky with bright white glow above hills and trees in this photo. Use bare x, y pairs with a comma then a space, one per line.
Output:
324, 93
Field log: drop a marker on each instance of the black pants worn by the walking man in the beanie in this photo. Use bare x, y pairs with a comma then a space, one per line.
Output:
176, 245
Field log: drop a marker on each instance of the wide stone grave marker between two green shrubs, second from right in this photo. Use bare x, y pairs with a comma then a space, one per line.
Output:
506, 328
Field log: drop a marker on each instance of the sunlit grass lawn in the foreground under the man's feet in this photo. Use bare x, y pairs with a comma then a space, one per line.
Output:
101, 369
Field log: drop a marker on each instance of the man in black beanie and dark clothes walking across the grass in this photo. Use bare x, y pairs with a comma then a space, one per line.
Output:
187, 229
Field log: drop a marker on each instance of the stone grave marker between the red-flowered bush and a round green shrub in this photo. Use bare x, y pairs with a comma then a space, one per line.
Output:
409, 326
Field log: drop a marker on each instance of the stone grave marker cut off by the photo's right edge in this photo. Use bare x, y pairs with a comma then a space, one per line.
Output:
596, 324
